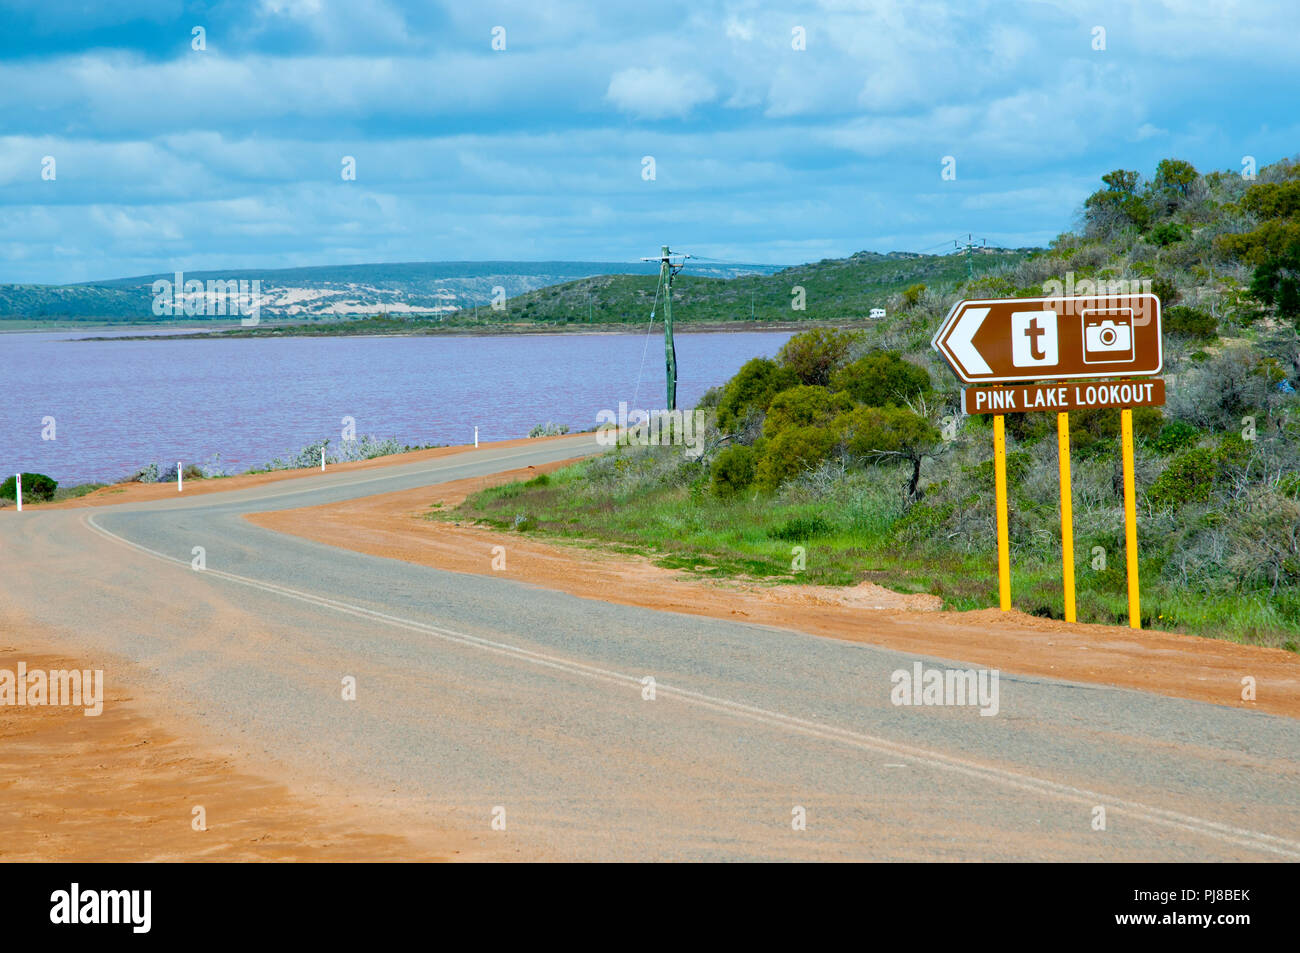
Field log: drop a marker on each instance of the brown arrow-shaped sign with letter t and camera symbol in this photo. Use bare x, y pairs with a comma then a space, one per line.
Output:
1052, 339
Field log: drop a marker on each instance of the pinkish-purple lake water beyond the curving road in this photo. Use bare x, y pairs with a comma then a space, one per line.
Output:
122, 405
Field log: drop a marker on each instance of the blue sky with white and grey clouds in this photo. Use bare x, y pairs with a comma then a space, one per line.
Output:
168, 158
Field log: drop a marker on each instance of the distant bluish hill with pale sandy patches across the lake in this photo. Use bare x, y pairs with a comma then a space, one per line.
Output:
332, 292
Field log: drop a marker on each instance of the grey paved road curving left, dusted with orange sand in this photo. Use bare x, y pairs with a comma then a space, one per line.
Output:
476, 692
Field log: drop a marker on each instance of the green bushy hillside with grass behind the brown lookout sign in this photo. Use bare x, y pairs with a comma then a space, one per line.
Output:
812, 450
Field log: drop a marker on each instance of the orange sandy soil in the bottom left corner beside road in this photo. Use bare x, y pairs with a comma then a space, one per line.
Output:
123, 787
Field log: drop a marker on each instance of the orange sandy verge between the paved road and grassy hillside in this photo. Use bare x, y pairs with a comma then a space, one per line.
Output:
1181, 666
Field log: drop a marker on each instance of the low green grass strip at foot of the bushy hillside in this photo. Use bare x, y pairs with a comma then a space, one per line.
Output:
630, 501
